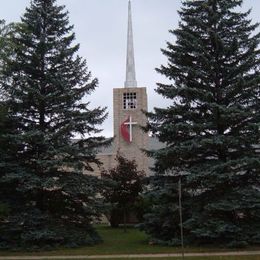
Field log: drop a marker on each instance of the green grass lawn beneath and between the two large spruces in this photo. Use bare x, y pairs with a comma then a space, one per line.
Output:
116, 241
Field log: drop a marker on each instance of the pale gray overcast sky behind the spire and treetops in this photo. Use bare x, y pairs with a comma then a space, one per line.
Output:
101, 27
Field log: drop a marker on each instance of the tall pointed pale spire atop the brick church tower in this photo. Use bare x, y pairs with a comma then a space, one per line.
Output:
130, 59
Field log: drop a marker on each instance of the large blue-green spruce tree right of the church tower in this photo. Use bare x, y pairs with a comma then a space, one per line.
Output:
211, 128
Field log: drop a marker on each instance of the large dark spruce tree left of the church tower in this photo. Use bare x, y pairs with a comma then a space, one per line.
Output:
46, 87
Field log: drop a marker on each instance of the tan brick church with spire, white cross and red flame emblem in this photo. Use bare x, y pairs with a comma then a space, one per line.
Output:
129, 102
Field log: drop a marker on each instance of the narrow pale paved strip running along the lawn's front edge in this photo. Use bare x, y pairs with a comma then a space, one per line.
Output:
127, 256
